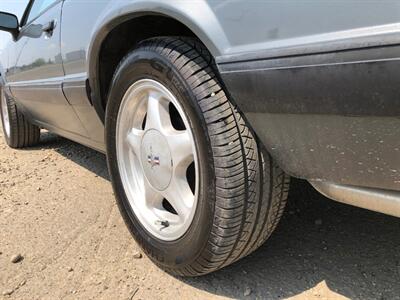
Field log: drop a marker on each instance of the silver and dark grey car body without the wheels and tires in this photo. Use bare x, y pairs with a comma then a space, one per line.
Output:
317, 81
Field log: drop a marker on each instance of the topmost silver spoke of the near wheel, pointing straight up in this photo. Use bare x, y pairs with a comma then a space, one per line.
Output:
157, 112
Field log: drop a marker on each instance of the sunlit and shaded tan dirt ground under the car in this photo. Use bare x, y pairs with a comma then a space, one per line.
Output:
57, 210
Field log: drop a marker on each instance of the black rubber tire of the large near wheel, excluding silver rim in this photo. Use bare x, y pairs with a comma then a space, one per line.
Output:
242, 192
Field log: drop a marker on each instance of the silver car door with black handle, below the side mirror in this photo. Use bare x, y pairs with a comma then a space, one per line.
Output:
37, 76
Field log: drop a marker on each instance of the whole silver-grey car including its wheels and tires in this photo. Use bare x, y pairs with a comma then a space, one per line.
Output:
206, 108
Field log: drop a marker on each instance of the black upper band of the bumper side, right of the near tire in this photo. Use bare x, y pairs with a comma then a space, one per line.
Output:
348, 83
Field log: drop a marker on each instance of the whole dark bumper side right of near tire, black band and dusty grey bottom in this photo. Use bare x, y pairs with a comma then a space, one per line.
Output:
331, 116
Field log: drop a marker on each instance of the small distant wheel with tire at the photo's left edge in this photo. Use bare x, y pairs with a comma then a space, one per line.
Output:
19, 133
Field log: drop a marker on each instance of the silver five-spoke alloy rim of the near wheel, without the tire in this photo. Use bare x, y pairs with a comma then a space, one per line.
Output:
157, 159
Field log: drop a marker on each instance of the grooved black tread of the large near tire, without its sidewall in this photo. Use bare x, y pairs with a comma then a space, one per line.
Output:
251, 190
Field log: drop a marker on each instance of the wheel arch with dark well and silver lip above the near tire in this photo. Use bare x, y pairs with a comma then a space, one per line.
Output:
178, 21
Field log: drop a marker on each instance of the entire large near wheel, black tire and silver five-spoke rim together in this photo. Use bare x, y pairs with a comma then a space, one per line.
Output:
193, 186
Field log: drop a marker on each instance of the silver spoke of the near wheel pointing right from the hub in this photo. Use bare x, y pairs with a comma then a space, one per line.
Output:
181, 150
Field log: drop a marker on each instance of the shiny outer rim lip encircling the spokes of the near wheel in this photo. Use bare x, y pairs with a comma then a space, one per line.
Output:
126, 164
